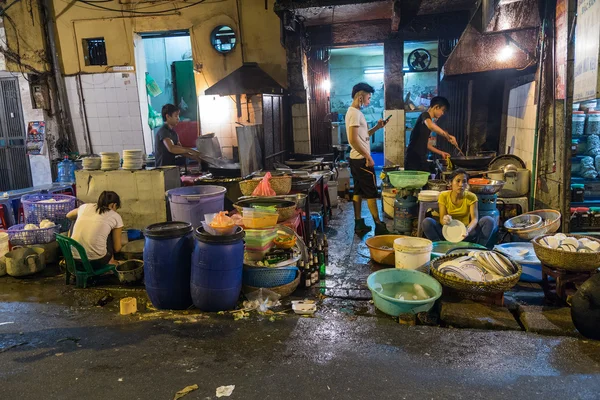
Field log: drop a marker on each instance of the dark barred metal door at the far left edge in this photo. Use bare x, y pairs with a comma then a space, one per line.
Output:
15, 172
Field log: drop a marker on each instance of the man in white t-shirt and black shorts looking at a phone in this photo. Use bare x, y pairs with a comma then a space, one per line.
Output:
361, 162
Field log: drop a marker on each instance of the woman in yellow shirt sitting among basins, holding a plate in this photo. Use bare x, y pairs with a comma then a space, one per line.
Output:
458, 203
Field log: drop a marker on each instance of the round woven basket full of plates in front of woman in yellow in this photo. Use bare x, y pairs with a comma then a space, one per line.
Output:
486, 288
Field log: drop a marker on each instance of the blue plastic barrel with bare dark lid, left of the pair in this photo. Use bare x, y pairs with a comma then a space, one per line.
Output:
167, 262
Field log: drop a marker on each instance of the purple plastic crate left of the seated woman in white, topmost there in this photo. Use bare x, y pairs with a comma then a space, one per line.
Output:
36, 209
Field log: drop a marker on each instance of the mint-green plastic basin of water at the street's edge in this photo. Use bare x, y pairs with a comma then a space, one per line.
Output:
395, 307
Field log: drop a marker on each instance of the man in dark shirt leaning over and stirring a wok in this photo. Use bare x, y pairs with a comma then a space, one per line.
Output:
416, 153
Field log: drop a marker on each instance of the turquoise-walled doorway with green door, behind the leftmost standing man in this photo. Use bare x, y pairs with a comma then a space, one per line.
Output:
166, 76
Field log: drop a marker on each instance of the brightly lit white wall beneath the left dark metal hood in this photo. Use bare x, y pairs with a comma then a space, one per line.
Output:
218, 115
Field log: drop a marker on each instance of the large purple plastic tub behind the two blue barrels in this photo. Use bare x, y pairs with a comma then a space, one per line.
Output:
189, 204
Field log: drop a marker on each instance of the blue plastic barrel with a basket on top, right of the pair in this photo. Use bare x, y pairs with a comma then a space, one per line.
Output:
217, 265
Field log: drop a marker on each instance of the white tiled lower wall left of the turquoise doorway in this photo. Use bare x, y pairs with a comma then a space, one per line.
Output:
112, 107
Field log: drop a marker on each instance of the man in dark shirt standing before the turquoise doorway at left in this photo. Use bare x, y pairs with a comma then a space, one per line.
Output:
167, 146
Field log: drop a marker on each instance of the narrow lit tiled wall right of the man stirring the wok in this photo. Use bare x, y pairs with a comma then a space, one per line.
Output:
520, 124
